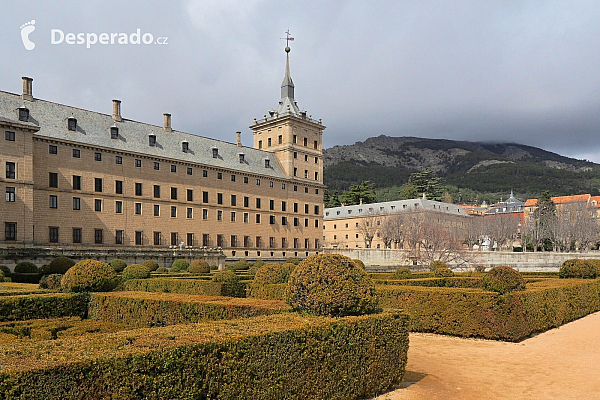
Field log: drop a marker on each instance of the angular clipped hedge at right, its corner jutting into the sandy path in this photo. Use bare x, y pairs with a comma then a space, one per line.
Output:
477, 313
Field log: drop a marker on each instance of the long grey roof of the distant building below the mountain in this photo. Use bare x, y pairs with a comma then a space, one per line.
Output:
390, 207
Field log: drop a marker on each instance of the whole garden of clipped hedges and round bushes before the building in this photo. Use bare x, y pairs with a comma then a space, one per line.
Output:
321, 328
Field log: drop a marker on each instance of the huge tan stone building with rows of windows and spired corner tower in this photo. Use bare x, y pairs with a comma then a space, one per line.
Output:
84, 179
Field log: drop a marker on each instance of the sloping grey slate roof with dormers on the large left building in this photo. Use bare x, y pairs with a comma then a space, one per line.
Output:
93, 129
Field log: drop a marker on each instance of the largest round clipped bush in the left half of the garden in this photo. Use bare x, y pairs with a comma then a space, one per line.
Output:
90, 276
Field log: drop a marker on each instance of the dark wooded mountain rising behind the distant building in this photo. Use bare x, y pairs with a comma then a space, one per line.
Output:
481, 167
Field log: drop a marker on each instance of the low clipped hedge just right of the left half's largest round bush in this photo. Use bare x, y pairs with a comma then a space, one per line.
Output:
186, 286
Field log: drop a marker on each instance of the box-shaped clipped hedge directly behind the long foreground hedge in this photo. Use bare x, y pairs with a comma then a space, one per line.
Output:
162, 309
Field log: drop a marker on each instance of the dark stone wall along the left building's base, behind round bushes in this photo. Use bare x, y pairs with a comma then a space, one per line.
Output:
11, 256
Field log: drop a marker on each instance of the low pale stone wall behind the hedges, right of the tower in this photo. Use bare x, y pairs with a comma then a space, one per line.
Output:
390, 259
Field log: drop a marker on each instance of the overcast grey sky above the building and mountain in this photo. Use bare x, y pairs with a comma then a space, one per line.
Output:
518, 71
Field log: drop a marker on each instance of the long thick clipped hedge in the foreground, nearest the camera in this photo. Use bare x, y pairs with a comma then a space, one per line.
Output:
283, 356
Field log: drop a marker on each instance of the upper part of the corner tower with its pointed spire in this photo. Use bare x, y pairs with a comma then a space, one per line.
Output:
292, 135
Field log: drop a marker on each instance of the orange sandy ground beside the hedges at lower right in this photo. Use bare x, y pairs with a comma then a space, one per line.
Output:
562, 363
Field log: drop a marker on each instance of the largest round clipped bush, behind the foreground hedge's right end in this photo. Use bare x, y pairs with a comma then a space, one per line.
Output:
331, 284
